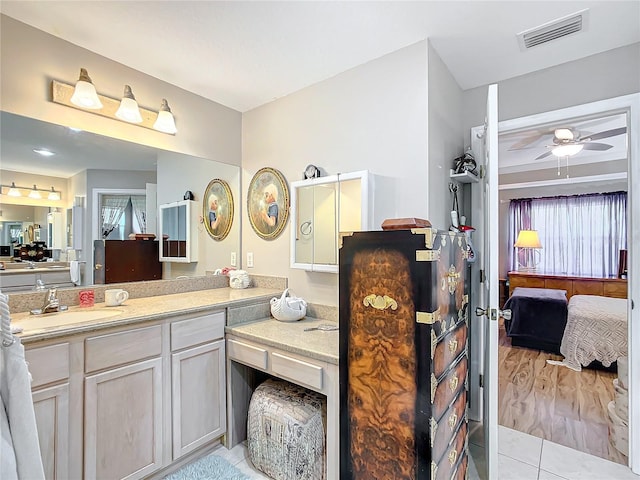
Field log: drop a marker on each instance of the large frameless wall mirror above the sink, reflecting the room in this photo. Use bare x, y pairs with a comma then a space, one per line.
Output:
108, 192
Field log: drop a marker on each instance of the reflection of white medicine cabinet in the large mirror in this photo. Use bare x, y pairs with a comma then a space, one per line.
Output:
178, 227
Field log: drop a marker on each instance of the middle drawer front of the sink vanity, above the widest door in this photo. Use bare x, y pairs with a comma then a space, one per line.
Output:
120, 348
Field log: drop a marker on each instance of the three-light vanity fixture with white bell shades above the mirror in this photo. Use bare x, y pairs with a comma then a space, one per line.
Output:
125, 109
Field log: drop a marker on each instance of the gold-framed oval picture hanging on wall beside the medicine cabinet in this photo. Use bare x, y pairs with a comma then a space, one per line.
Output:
268, 203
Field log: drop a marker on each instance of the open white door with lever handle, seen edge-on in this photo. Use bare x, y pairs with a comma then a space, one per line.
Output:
489, 296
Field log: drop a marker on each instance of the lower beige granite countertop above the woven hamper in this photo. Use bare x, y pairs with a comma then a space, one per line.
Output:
291, 337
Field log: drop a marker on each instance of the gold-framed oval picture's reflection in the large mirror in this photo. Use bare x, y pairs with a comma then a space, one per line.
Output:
217, 209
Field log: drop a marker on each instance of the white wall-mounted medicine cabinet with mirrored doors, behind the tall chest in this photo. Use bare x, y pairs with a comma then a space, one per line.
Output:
321, 209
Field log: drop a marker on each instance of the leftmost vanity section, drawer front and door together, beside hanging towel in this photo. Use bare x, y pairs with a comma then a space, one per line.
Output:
49, 367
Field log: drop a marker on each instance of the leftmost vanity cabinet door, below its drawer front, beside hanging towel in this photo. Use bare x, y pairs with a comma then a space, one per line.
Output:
51, 407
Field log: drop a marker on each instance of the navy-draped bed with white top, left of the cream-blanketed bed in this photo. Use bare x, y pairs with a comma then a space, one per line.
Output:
538, 318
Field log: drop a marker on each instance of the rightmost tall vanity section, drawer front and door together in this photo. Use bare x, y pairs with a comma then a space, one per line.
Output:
198, 382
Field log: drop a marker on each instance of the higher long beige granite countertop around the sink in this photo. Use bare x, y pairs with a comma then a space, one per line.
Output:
45, 327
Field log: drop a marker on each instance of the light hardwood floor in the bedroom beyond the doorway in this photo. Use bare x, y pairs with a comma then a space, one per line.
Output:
554, 402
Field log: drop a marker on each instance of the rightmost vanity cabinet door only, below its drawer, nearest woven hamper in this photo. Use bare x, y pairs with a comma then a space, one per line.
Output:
198, 394
